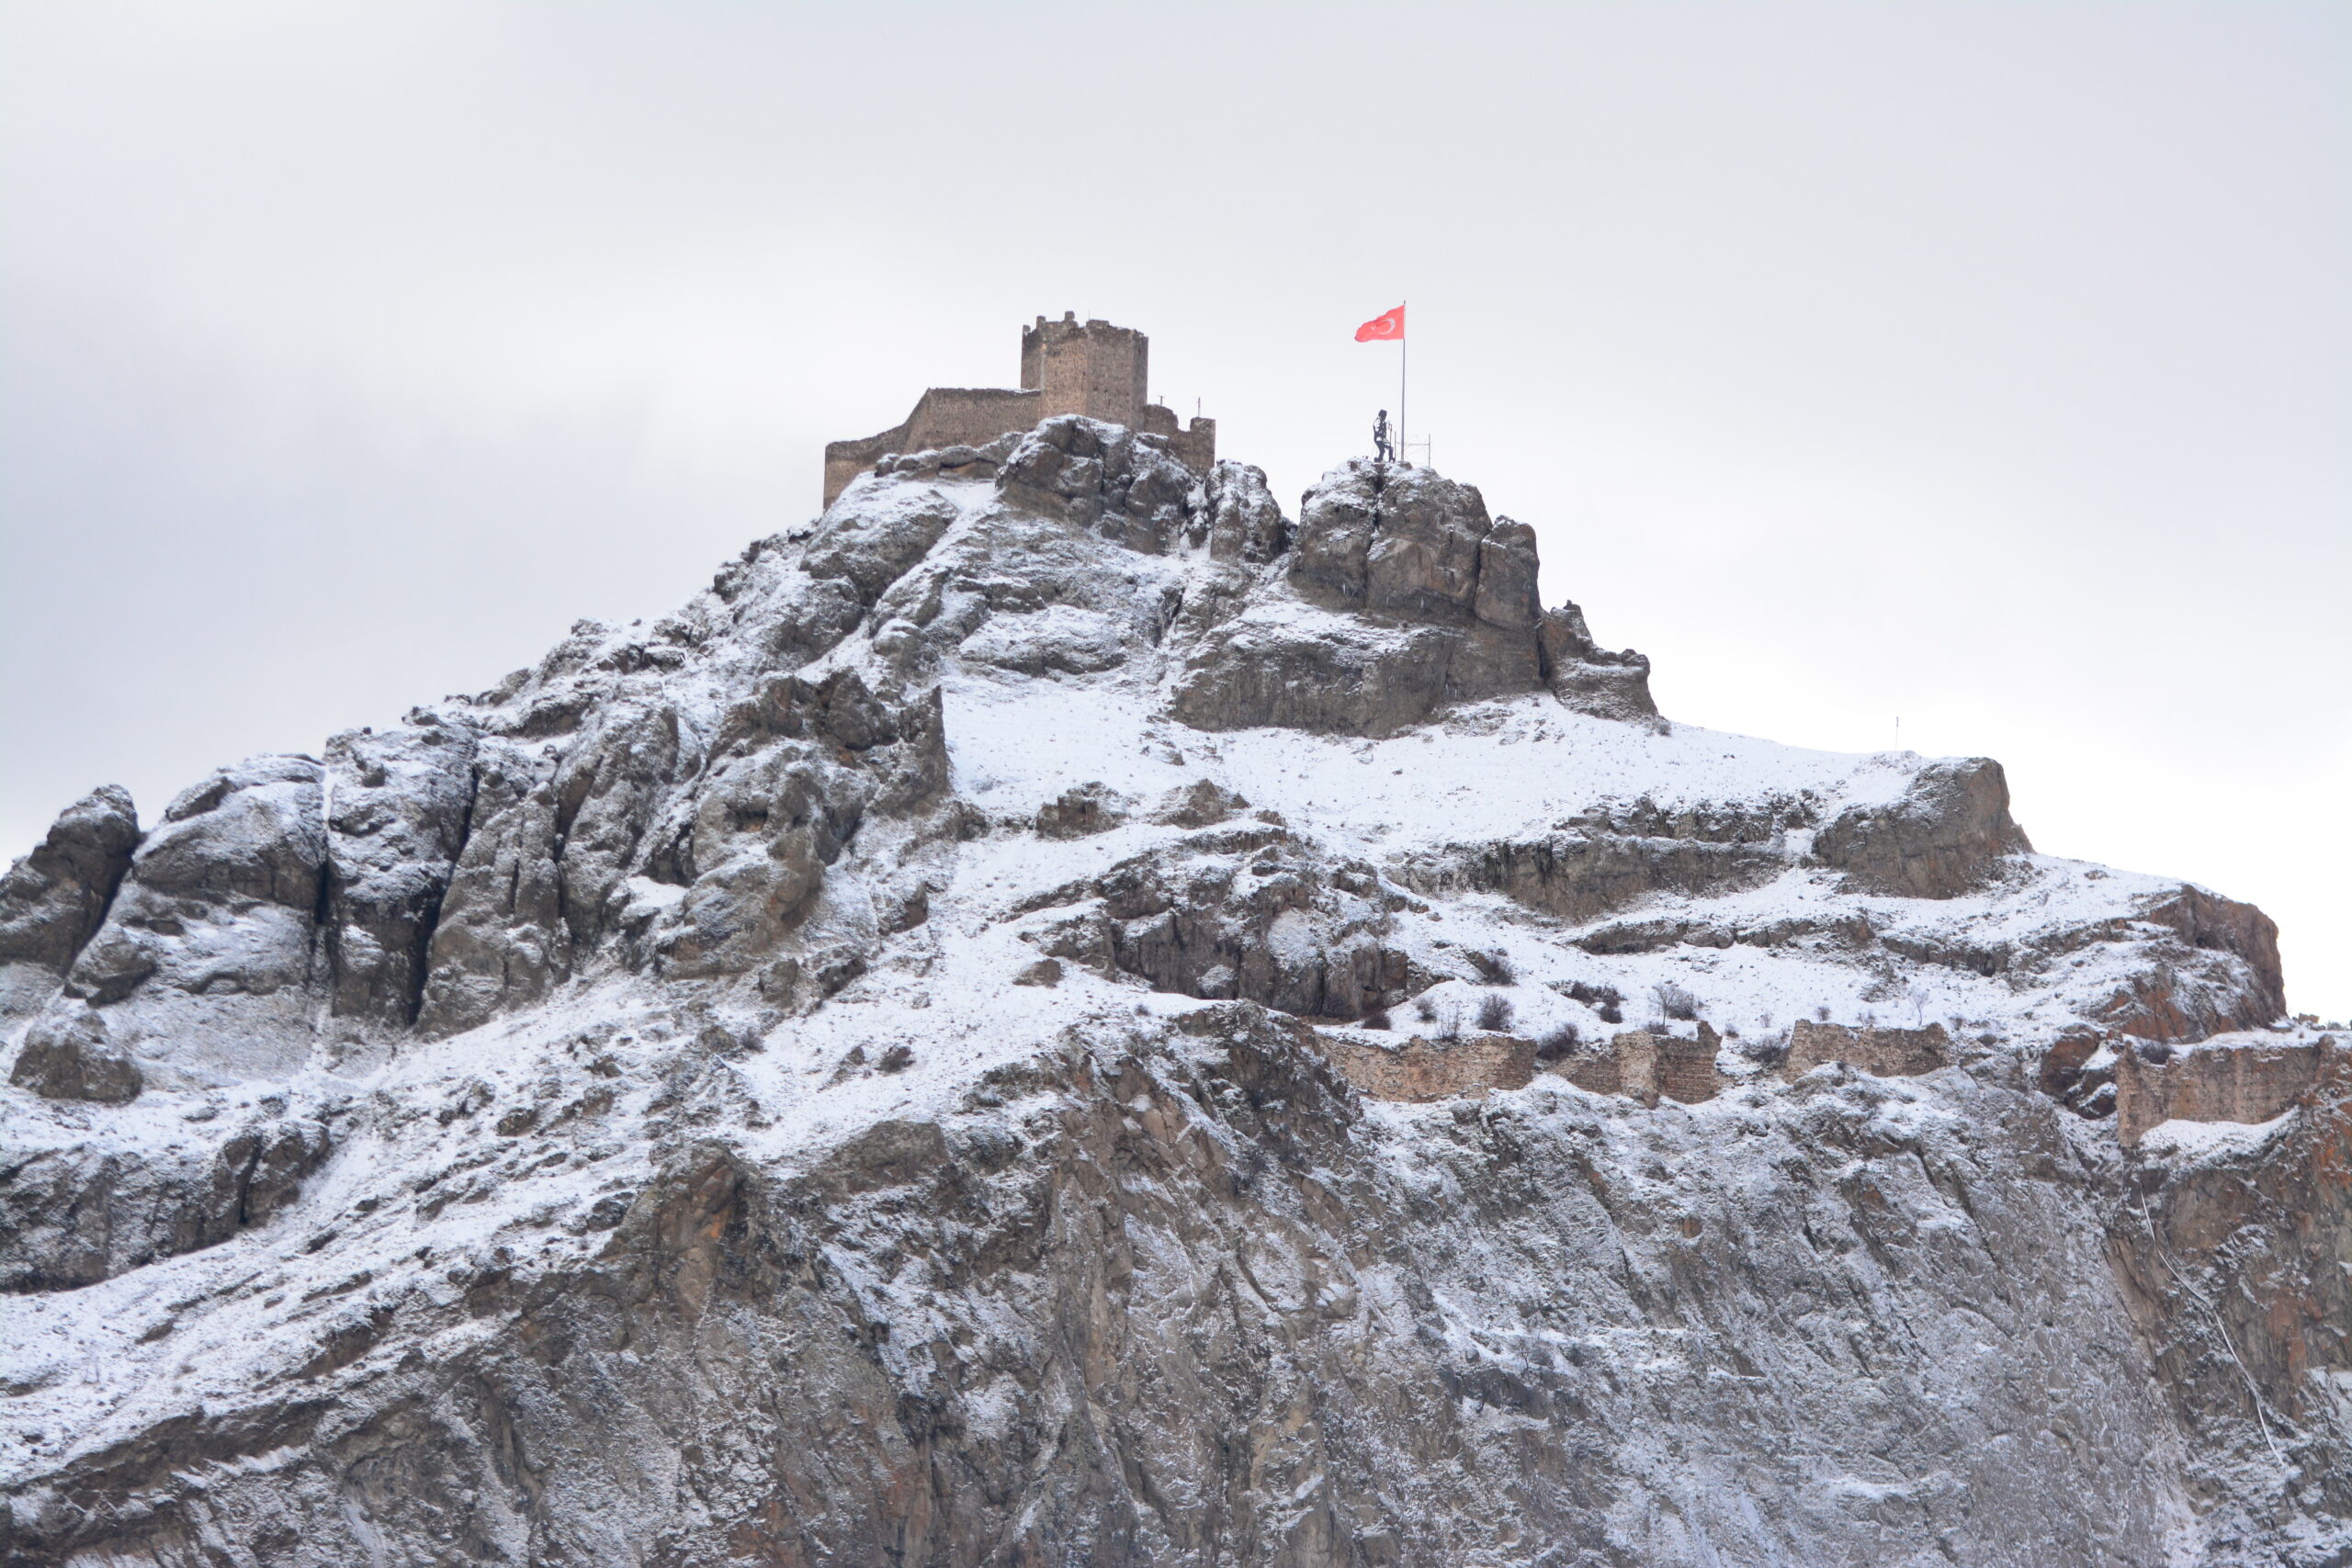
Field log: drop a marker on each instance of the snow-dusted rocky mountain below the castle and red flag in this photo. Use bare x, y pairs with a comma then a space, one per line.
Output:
869, 1071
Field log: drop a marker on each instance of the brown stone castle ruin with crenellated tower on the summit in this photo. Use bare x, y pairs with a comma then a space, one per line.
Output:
1067, 368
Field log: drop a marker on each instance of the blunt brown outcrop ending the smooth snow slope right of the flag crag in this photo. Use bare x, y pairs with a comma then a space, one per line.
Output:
1944, 838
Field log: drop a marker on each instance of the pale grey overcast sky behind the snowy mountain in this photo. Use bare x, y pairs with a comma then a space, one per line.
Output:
1984, 368
